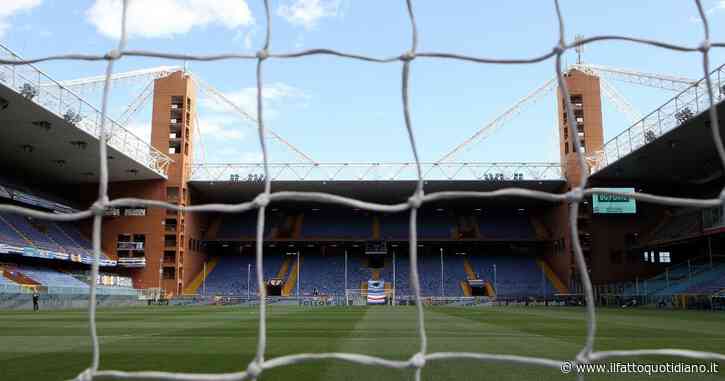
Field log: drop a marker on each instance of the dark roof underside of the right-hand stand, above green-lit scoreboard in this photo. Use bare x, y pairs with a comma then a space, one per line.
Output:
684, 155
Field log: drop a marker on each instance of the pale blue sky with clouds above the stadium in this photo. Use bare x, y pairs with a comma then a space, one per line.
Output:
338, 110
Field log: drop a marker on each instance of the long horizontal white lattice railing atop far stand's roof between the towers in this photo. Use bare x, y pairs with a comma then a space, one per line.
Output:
254, 172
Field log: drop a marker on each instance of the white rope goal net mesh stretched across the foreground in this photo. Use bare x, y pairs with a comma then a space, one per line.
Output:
418, 359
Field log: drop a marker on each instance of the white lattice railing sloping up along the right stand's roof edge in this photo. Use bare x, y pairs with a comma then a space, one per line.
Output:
678, 110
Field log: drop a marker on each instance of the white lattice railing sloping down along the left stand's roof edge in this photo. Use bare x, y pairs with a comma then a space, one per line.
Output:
33, 84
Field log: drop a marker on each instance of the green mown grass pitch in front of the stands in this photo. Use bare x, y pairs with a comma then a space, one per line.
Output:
54, 345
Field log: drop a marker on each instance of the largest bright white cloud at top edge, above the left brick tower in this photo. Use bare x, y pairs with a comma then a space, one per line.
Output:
166, 18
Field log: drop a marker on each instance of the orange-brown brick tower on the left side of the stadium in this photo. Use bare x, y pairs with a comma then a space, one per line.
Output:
165, 233
